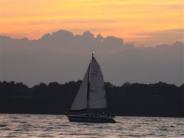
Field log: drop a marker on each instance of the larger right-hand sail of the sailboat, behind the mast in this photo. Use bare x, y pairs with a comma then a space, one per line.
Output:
97, 94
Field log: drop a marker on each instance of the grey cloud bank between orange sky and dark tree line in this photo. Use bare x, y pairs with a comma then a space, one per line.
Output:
63, 56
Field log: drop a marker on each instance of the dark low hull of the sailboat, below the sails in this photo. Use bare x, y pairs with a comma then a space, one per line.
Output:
90, 119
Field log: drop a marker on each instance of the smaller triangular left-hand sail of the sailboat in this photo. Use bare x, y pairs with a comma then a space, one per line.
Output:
80, 101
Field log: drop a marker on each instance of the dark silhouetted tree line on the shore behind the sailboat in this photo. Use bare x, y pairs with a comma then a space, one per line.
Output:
131, 99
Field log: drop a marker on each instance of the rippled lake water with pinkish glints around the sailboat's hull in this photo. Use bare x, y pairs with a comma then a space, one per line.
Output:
58, 126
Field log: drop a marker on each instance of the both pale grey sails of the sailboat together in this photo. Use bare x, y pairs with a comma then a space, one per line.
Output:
91, 94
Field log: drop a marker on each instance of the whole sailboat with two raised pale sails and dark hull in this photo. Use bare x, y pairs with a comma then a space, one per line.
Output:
90, 103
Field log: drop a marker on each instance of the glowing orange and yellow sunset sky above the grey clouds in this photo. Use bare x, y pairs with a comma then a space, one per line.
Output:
123, 18
